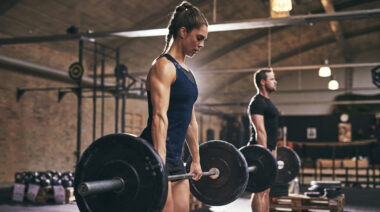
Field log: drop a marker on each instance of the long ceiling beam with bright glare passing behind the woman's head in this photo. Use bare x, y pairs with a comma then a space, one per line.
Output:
244, 25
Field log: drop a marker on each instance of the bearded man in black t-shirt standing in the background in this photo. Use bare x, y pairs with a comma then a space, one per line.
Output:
263, 117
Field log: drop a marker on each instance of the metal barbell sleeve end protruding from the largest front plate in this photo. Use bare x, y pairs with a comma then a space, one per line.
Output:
116, 184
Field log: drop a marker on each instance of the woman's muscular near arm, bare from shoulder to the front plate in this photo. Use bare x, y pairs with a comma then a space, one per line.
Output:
160, 78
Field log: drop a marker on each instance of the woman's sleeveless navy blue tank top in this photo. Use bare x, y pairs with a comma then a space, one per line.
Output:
183, 94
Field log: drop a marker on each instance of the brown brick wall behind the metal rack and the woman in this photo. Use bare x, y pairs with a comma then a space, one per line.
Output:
38, 133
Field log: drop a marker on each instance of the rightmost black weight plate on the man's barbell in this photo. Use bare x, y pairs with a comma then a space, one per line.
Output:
289, 165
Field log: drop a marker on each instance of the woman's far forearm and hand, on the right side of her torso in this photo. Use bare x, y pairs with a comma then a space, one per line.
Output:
192, 142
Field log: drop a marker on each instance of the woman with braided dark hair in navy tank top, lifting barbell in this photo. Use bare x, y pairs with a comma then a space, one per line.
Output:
172, 92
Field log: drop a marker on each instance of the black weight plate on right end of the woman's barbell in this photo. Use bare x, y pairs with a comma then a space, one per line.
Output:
233, 176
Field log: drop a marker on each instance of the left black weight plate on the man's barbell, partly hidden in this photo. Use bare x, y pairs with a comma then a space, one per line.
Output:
265, 174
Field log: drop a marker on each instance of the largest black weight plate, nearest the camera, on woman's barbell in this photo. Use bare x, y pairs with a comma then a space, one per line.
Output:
128, 157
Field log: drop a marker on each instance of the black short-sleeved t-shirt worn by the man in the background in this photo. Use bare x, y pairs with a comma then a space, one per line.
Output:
263, 106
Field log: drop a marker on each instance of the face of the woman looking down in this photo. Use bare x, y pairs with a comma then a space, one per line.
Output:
194, 40
